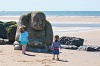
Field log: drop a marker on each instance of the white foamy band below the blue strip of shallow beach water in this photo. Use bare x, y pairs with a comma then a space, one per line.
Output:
80, 29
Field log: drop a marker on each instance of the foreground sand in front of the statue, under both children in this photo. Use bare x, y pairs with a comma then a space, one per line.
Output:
10, 57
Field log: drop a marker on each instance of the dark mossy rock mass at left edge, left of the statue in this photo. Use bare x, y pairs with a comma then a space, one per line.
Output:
7, 31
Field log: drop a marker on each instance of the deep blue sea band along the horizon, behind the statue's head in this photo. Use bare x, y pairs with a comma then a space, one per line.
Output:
53, 13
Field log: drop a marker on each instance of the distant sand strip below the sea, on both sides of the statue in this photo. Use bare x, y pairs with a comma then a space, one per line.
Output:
57, 18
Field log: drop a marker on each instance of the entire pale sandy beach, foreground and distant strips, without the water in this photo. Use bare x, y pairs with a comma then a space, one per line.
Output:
11, 57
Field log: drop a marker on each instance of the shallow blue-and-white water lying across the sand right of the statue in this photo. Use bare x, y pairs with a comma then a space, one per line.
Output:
75, 26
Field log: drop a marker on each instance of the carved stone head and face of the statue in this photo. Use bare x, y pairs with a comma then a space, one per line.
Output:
38, 20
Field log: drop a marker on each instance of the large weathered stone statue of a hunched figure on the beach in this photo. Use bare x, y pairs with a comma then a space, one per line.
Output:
39, 29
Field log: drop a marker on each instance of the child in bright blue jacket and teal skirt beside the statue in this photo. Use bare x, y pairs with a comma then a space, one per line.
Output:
23, 38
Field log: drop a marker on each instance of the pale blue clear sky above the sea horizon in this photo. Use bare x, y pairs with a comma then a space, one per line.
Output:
49, 5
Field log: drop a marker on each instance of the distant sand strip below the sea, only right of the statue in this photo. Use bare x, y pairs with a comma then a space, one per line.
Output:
74, 19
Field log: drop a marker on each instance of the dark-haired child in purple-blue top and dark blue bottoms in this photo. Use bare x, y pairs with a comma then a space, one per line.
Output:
55, 47
